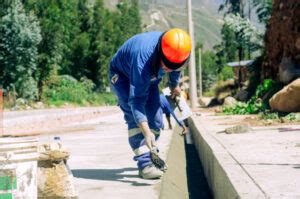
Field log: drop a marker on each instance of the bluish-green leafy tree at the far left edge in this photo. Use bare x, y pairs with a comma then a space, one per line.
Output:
19, 38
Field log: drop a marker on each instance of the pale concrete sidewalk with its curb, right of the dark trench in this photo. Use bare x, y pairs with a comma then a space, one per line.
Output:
261, 163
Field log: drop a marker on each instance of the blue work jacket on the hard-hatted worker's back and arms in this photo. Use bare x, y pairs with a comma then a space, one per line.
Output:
138, 60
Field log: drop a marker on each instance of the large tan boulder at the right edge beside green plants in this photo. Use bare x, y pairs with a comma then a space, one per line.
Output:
287, 99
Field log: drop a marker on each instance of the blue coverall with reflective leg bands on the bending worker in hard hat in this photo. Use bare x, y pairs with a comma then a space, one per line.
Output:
134, 75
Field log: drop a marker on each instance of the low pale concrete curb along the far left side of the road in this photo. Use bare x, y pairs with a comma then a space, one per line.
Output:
35, 122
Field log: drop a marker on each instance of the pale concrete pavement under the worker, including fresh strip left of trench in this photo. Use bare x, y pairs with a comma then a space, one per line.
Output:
100, 157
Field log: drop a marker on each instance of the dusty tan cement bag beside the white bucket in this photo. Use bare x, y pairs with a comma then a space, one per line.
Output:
55, 179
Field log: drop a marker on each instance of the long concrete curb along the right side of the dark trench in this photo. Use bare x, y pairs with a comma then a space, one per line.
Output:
225, 176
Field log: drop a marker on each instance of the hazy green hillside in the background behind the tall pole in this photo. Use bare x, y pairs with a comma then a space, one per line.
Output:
164, 14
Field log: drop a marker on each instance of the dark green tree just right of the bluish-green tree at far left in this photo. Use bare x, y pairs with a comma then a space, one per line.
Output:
58, 20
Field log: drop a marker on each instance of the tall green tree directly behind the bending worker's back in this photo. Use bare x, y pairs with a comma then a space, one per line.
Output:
108, 30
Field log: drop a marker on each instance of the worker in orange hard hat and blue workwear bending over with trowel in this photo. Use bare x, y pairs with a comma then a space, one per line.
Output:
135, 72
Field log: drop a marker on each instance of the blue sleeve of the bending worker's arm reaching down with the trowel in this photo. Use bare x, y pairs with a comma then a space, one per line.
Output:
139, 89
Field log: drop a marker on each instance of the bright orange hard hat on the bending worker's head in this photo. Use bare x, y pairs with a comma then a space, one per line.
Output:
176, 47
